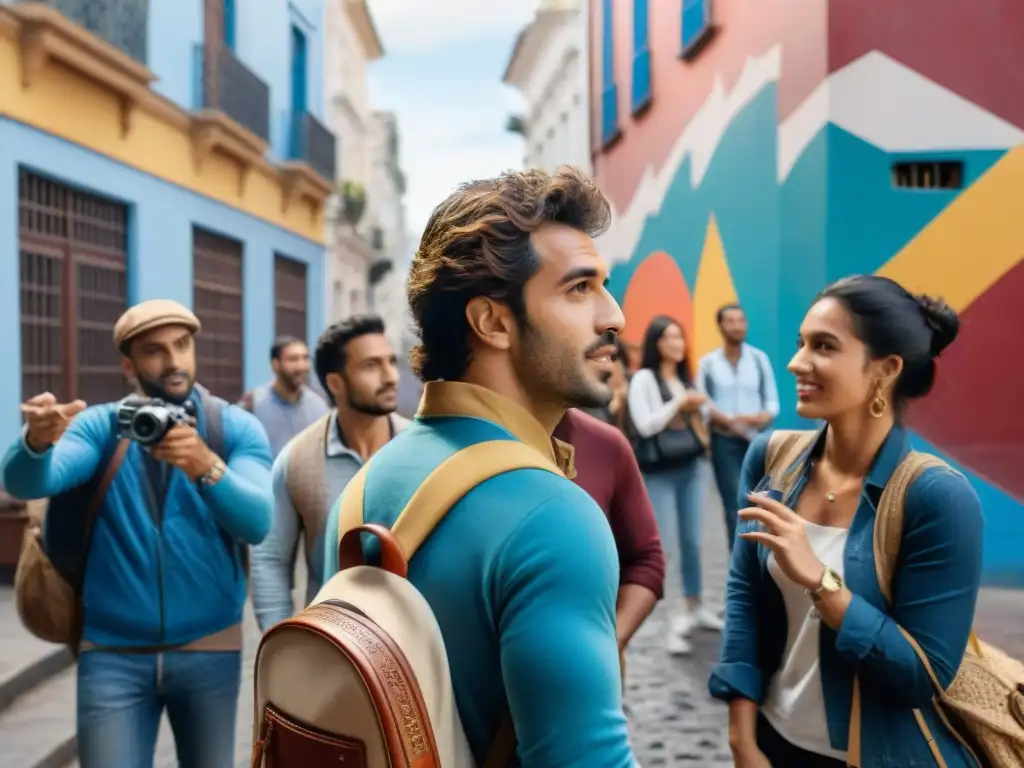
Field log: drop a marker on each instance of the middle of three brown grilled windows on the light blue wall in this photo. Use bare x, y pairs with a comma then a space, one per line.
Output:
218, 304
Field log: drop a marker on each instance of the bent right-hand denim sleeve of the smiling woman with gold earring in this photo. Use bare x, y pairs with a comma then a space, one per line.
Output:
935, 590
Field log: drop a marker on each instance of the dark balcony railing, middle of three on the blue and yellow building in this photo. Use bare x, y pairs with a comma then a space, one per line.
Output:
224, 83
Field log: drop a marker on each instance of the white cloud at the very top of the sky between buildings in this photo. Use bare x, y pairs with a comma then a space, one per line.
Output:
408, 26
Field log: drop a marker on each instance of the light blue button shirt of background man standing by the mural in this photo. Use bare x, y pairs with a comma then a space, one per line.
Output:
744, 390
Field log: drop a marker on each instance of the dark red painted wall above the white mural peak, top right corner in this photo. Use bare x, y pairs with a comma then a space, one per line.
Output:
973, 49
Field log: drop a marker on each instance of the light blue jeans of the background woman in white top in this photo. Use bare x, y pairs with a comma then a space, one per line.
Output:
676, 494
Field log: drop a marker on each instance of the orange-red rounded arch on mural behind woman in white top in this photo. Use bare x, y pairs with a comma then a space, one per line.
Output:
658, 288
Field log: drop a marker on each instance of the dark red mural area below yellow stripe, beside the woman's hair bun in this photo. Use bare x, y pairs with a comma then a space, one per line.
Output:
974, 414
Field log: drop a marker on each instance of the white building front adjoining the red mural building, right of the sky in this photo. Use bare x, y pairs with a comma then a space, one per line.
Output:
549, 67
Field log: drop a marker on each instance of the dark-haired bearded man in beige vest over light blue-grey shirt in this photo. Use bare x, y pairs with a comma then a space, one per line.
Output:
356, 364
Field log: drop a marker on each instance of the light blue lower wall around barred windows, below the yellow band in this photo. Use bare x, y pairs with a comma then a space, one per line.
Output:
160, 258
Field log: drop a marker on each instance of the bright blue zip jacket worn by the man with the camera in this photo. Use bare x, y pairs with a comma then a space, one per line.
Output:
157, 577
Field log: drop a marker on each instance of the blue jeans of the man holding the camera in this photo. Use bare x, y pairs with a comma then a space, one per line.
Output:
121, 698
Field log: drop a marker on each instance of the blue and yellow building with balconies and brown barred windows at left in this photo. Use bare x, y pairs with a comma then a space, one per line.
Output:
158, 150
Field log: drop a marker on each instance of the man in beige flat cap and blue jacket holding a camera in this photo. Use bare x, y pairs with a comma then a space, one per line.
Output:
173, 485
